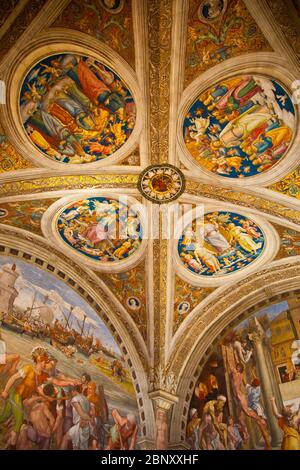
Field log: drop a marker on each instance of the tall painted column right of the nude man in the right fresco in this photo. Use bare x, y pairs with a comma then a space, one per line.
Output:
257, 337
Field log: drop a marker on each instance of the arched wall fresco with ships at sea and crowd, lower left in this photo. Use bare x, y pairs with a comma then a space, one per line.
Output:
63, 379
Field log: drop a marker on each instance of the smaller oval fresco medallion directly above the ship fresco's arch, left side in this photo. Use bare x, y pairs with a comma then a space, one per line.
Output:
101, 228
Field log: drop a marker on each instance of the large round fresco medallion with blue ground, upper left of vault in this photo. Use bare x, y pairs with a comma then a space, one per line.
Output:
75, 109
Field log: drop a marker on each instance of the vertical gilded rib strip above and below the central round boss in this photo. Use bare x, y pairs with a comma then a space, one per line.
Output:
160, 31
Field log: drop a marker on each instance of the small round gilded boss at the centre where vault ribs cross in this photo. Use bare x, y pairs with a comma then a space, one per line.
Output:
161, 183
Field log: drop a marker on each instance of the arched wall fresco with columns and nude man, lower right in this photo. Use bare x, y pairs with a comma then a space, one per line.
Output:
248, 394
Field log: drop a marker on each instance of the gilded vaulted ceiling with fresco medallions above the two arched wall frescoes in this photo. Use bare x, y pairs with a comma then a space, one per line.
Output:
207, 93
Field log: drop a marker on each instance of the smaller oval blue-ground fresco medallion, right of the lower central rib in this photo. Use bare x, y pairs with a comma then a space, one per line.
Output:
219, 244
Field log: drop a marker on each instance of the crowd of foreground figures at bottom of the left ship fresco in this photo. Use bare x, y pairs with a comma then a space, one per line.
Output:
42, 408
